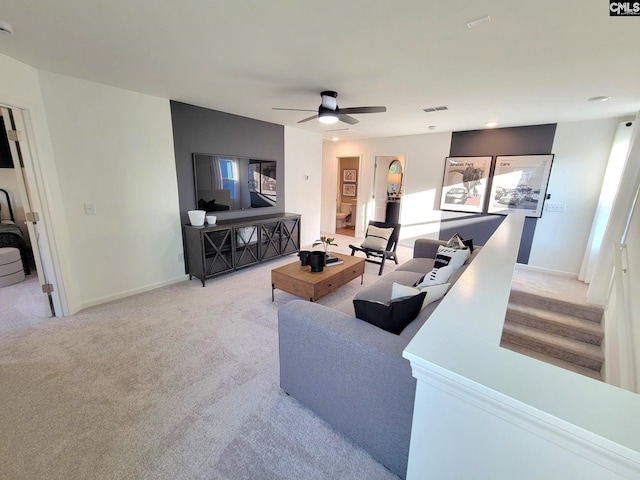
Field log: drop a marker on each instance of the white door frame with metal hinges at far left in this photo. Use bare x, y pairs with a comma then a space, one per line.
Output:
34, 199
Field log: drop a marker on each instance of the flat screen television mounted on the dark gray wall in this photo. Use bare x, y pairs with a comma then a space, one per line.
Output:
226, 182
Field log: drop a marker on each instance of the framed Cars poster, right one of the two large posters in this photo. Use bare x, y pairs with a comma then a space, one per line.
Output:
519, 184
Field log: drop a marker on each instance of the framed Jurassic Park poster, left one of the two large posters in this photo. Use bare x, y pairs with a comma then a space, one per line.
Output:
464, 187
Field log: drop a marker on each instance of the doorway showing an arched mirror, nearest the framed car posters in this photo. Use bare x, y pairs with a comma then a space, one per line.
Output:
388, 187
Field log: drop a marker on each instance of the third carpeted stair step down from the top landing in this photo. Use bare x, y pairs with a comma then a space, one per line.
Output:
564, 348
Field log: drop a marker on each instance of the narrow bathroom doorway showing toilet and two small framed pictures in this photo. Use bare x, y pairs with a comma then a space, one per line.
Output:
347, 195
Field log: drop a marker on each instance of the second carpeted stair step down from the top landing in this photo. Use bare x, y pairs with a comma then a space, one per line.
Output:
558, 323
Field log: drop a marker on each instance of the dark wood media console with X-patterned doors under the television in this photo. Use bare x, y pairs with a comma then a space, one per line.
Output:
232, 244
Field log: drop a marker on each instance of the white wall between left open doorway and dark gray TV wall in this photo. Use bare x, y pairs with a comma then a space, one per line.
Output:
114, 148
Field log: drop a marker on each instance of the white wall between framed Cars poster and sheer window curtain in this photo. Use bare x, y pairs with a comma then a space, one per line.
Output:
581, 153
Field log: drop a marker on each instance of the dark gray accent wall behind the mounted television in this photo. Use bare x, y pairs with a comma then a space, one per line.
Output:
202, 130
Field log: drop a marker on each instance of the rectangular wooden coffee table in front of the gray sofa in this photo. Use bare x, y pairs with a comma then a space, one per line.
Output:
298, 280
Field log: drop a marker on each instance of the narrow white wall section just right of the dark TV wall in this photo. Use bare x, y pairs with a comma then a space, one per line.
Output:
303, 180
